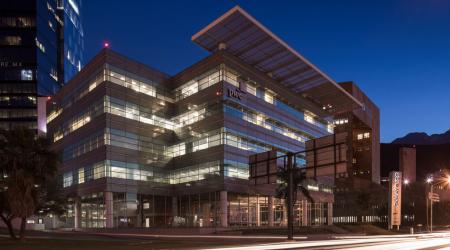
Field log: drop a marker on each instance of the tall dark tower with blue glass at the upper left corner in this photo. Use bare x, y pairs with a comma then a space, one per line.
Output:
34, 36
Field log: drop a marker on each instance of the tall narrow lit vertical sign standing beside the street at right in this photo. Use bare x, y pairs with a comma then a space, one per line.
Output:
395, 199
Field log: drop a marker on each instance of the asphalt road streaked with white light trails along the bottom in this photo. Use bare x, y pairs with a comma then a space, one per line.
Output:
119, 240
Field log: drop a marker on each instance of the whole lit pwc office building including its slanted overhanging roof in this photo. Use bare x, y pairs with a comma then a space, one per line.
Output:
141, 148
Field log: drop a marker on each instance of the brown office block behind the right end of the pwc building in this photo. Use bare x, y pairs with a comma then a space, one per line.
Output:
356, 159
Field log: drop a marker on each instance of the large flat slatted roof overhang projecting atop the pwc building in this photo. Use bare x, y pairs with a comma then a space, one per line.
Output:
247, 39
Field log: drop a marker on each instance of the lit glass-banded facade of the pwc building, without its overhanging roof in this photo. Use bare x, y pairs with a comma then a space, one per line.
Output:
143, 149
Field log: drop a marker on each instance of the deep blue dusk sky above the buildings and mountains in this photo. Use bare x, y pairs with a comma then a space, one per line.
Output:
398, 52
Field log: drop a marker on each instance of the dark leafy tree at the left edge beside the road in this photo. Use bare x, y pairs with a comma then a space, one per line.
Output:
28, 166
